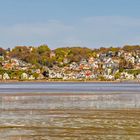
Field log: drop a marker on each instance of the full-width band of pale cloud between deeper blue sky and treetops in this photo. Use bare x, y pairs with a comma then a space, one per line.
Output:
91, 32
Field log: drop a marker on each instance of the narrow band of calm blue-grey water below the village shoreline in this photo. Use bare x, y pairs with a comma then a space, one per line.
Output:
69, 87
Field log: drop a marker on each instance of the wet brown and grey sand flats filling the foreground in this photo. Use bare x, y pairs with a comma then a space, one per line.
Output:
73, 117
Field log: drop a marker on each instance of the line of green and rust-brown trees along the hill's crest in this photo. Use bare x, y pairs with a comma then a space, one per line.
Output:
43, 55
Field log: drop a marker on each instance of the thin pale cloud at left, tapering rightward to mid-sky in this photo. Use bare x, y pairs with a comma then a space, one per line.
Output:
33, 33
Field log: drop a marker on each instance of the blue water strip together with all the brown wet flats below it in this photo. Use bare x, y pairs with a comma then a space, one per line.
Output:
69, 111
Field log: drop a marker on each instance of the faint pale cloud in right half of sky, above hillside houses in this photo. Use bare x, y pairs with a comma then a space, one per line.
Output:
110, 30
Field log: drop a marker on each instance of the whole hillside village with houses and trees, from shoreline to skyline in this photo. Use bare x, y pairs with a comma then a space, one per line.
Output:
70, 63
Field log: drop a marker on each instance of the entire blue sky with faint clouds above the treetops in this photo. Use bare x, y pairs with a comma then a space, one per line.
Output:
62, 23
